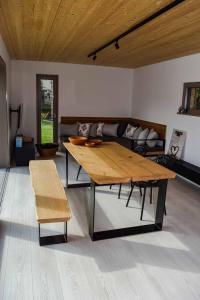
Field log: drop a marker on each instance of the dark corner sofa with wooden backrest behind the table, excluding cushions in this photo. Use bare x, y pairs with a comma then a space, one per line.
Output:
123, 122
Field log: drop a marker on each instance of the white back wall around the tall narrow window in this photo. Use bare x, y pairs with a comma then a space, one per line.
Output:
83, 90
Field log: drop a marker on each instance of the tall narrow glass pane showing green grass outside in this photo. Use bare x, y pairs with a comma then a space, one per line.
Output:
47, 111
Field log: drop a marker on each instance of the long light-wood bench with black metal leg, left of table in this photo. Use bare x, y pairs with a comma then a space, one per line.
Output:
50, 198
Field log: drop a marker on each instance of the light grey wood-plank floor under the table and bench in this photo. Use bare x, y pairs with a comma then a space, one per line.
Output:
160, 265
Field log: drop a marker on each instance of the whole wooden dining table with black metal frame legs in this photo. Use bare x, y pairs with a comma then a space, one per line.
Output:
111, 163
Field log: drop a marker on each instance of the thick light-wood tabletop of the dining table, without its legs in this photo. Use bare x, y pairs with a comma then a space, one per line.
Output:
112, 163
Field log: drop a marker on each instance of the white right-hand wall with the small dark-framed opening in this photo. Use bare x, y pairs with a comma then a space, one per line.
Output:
157, 94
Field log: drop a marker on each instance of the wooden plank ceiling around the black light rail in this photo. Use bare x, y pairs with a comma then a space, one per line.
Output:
68, 30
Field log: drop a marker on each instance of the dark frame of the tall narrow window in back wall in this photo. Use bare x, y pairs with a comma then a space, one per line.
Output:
55, 105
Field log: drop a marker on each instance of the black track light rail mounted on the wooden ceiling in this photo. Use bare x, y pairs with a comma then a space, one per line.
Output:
137, 26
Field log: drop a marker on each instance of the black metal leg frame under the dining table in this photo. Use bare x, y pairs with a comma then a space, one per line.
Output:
107, 234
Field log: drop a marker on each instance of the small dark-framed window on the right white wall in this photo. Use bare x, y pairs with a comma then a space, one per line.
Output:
191, 98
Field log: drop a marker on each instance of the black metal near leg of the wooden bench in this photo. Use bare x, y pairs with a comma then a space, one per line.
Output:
53, 239
